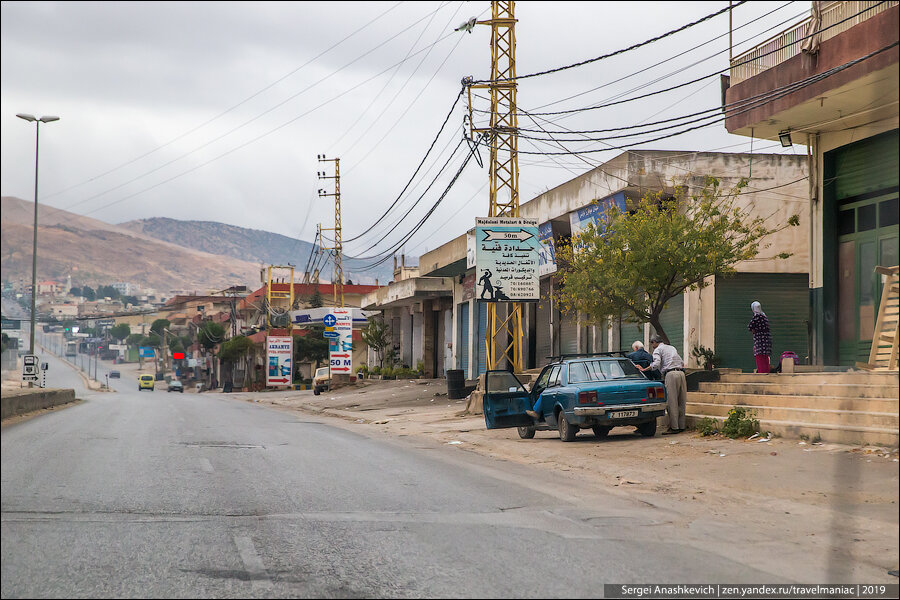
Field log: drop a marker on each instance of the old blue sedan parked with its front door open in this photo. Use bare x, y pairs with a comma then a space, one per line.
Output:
596, 392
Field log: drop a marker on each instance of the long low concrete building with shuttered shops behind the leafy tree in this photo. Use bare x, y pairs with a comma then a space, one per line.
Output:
436, 319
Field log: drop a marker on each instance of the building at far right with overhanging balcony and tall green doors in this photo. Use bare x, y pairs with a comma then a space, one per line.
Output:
848, 119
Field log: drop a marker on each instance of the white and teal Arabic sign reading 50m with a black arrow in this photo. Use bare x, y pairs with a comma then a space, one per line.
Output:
507, 256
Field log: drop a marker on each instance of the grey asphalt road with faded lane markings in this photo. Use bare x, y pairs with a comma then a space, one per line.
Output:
151, 494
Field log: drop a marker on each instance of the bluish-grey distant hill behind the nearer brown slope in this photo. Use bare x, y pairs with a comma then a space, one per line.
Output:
250, 244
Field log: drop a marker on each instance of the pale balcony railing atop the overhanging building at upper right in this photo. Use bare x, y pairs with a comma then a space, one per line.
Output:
787, 44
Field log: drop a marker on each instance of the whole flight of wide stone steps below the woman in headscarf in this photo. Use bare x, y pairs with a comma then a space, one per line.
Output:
860, 408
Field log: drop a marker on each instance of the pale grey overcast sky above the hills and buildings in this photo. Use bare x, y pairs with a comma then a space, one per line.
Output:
217, 110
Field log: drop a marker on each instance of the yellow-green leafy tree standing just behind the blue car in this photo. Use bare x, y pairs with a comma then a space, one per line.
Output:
637, 262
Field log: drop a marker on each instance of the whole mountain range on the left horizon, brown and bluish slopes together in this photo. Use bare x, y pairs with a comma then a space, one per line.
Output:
164, 254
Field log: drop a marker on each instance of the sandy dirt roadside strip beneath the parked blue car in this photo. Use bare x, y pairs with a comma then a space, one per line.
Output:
803, 493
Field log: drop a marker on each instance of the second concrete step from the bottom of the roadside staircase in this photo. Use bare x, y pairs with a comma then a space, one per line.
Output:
849, 418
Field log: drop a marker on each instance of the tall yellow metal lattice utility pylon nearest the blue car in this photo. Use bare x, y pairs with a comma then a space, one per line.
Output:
504, 335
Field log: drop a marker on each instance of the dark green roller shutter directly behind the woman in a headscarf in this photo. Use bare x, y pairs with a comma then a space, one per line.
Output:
784, 298
